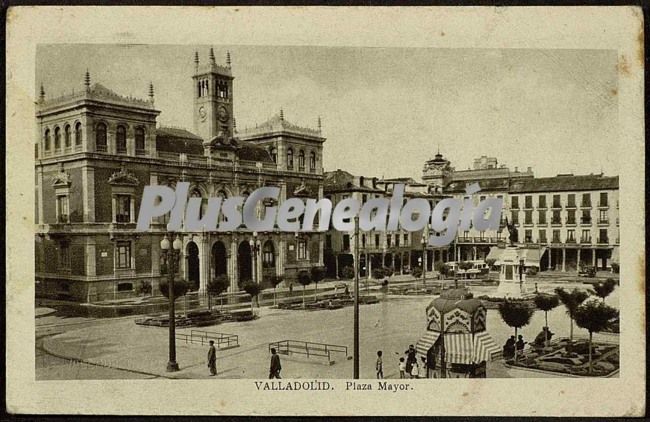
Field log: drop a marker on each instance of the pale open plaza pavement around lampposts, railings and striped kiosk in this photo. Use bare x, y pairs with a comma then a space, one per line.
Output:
390, 326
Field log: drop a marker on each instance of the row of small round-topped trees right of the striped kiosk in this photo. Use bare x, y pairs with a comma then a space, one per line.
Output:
592, 315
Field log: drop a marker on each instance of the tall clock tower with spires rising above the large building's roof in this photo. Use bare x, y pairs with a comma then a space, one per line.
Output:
213, 111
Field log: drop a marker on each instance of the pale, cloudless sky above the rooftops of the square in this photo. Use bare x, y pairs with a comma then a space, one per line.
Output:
385, 111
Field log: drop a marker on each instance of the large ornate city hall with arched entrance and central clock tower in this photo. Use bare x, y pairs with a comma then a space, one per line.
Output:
95, 152
